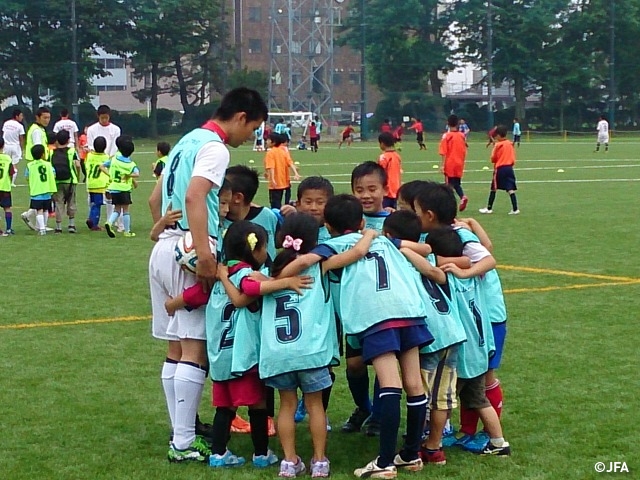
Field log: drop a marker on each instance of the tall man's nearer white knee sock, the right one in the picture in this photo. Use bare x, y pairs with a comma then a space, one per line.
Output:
188, 383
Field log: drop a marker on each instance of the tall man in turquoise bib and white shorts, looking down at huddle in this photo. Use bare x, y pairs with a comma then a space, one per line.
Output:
190, 182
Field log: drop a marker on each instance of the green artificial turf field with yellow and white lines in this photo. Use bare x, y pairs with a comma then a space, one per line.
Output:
81, 395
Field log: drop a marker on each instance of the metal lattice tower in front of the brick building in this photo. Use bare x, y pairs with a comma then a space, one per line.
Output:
301, 51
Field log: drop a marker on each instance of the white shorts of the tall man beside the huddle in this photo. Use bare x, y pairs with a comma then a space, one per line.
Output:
167, 279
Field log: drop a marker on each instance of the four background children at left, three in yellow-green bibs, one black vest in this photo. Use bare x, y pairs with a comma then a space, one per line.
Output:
53, 177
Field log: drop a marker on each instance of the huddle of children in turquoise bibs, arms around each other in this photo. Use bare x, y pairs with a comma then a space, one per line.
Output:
414, 292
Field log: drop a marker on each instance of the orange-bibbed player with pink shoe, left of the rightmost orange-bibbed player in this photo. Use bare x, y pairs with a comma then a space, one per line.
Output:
453, 150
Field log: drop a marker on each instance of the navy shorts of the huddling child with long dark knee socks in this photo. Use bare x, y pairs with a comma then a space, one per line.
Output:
395, 340
